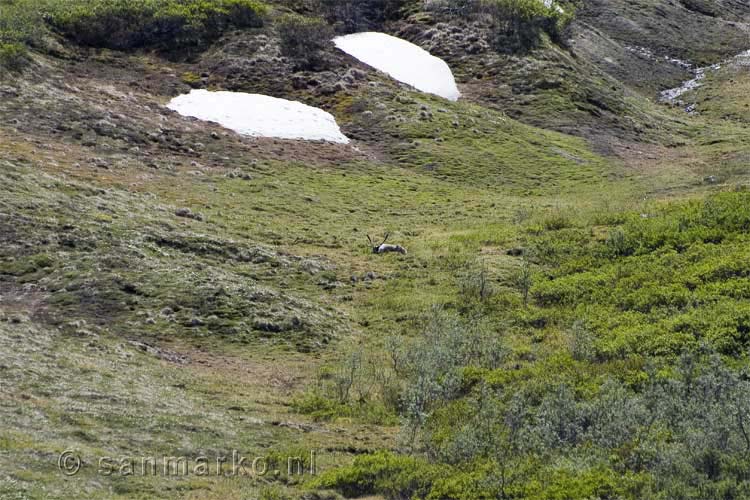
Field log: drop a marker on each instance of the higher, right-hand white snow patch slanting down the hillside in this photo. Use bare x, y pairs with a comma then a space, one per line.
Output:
403, 61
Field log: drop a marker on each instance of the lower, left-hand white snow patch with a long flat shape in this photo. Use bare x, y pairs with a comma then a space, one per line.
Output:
260, 116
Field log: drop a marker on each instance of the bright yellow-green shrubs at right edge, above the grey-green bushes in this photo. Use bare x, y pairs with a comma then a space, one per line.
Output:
657, 284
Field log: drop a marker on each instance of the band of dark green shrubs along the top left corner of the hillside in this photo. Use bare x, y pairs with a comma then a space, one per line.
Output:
123, 24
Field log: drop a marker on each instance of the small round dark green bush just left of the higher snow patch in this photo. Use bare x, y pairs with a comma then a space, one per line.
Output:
305, 40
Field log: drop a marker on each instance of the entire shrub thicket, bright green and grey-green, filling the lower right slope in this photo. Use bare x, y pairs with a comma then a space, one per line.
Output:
643, 392
